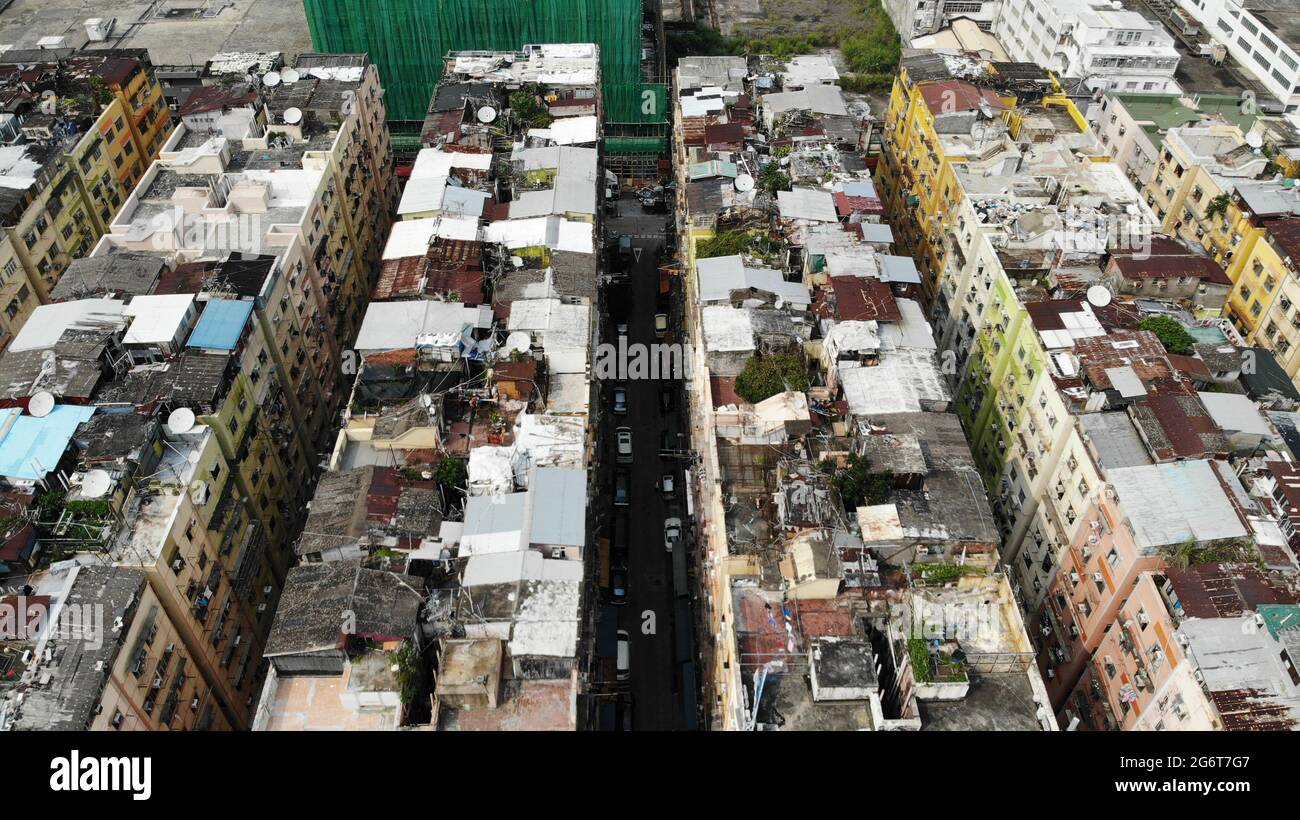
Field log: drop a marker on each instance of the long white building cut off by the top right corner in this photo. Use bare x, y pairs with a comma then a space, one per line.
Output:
1263, 37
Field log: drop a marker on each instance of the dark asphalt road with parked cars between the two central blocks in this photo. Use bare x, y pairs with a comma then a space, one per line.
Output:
655, 684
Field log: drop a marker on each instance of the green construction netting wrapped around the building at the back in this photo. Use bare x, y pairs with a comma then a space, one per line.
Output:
408, 41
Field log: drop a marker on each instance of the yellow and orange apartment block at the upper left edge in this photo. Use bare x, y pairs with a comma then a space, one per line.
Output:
72, 157
